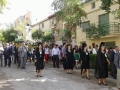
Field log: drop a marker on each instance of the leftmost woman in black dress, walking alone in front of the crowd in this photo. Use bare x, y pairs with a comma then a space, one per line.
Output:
40, 60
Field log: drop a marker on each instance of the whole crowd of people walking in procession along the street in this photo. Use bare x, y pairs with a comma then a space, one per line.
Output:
70, 56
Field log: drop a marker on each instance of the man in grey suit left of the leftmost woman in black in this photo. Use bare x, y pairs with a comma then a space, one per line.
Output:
23, 56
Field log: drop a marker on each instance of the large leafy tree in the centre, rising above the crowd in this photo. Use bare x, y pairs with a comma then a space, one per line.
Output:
70, 11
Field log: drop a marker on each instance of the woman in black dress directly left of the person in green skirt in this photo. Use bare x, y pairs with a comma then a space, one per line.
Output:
69, 60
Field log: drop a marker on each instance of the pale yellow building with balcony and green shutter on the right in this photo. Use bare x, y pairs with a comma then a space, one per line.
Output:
96, 15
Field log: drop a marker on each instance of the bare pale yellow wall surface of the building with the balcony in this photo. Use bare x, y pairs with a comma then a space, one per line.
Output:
93, 17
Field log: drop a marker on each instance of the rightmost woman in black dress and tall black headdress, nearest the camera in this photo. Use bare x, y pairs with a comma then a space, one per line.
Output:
102, 63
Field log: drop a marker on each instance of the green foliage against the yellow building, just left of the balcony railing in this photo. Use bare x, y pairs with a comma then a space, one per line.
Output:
96, 31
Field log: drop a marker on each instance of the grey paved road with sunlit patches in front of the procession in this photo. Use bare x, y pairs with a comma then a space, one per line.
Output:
53, 79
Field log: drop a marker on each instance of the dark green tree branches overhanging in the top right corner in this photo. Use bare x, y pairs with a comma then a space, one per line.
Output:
106, 6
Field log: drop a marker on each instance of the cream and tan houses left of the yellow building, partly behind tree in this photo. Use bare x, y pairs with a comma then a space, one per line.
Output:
51, 24
